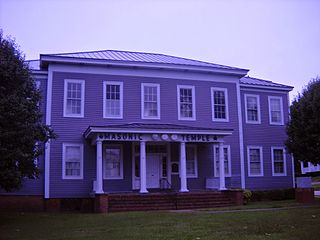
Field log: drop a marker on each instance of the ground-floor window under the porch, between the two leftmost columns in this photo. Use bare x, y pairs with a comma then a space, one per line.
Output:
113, 162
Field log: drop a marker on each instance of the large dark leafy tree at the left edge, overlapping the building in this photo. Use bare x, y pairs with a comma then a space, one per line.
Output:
22, 132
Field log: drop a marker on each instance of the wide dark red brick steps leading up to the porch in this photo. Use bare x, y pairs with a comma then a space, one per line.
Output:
169, 201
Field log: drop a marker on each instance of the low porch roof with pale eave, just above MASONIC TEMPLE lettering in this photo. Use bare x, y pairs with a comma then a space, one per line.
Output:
154, 128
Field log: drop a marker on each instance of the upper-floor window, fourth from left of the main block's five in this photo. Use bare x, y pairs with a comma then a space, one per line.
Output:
186, 103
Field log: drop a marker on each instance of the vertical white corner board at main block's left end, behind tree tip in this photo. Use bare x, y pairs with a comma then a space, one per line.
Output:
47, 144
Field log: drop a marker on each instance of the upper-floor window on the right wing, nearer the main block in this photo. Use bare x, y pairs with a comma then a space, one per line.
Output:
252, 105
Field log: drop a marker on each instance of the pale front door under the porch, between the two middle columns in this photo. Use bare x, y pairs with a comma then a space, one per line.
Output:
153, 170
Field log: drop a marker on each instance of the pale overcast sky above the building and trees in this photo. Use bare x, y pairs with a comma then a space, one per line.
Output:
278, 40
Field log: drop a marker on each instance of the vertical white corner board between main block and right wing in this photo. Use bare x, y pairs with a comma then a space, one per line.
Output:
241, 147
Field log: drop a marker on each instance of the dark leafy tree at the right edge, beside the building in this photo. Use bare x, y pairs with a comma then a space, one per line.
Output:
304, 127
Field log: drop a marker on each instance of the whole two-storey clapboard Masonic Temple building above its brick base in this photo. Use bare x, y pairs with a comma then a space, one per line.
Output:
140, 122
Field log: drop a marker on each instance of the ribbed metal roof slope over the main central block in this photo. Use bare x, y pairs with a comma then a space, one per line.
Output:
140, 57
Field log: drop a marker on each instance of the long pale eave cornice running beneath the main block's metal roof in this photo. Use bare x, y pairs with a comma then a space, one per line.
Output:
46, 59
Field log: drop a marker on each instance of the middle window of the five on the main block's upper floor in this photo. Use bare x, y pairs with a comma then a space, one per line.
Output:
150, 101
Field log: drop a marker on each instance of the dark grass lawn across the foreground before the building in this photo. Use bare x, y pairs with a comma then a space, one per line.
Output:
300, 223
